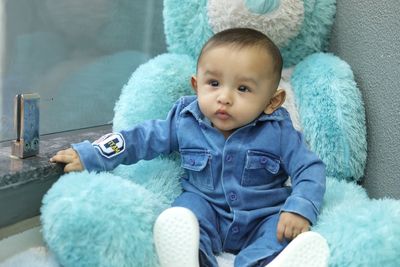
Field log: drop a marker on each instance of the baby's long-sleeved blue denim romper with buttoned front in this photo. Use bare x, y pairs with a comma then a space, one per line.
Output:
235, 186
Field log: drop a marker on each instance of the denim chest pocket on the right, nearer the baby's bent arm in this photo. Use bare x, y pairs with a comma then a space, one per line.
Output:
260, 168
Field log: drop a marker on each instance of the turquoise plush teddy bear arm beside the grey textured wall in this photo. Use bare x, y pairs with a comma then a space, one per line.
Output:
332, 114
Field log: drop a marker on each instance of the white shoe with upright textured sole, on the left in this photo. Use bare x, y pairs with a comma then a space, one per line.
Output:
176, 238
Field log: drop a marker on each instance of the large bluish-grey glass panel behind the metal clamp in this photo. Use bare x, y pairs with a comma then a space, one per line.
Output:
76, 54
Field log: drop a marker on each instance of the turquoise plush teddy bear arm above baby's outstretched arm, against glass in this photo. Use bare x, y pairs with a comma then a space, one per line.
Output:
166, 76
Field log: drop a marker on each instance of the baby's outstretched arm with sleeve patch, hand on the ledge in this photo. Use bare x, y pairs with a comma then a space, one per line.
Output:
146, 140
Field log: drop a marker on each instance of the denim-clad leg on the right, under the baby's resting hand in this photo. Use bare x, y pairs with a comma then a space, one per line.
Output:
262, 246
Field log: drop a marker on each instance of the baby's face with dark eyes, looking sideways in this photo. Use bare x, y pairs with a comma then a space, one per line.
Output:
234, 85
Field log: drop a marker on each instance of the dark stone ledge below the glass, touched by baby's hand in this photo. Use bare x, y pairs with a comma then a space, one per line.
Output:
23, 182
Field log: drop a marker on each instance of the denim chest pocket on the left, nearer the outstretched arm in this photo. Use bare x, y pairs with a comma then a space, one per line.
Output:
197, 164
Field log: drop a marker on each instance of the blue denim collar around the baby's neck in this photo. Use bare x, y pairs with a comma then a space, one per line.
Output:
194, 109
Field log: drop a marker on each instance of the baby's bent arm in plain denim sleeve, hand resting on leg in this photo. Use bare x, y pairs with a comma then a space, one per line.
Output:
307, 173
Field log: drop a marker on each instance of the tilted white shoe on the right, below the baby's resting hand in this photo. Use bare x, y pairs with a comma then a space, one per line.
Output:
308, 249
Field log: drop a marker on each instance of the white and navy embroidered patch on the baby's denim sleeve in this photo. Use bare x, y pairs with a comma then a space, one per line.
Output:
110, 144
